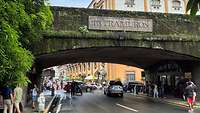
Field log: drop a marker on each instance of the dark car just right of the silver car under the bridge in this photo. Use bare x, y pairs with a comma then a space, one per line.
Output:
129, 87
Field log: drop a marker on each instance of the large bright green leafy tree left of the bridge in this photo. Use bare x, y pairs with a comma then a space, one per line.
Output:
21, 25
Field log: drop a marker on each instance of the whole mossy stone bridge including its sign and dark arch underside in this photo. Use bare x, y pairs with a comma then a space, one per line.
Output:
170, 39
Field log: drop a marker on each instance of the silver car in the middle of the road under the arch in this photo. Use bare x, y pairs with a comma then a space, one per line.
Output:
114, 88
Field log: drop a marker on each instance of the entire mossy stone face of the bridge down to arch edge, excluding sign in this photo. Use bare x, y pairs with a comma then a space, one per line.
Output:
177, 33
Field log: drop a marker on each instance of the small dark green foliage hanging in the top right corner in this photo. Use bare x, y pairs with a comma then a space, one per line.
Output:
193, 6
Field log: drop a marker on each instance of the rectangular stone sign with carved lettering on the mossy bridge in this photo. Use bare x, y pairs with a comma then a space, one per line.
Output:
120, 24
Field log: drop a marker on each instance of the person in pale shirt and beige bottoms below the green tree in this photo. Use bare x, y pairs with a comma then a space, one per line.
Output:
18, 93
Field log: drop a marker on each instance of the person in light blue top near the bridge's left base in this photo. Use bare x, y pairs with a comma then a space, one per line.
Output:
34, 94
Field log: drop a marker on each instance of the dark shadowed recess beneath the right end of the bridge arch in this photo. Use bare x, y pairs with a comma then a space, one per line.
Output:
170, 79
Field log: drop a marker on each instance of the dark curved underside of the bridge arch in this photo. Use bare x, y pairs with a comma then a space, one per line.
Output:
133, 56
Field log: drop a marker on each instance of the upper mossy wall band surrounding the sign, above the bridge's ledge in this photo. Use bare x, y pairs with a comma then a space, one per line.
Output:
71, 19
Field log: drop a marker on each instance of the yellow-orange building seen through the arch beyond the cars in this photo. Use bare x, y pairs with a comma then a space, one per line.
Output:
112, 71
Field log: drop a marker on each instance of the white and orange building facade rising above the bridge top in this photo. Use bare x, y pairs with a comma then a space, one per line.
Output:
160, 6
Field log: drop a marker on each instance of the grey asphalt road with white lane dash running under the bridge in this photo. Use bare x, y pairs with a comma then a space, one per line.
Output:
97, 102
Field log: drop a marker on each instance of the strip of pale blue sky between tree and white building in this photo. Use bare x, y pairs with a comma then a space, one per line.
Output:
70, 3
